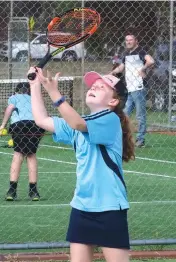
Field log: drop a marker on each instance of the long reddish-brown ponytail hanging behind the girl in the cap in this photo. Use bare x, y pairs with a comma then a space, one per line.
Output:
128, 141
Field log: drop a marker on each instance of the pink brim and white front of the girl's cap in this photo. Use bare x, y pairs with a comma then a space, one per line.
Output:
91, 77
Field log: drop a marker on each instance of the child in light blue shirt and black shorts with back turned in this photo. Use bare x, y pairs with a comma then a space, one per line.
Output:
26, 136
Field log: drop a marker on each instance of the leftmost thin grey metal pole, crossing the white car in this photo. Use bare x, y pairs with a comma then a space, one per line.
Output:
10, 41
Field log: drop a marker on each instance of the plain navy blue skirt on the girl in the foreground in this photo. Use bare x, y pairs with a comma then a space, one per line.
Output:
103, 229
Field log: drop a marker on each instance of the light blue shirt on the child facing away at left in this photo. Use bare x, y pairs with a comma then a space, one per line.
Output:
23, 109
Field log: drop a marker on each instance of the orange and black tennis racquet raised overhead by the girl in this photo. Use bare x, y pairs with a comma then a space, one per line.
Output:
71, 28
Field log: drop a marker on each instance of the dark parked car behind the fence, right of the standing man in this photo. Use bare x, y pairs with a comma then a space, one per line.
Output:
159, 78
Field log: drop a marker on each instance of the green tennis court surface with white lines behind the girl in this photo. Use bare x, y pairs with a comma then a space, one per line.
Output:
150, 179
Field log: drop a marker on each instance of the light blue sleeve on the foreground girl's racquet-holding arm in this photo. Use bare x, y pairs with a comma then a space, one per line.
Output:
62, 131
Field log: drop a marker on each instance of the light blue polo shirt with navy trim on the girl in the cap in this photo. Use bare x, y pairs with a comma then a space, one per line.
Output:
98, 188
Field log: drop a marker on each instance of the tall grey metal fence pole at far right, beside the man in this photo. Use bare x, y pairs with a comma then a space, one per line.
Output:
170, 61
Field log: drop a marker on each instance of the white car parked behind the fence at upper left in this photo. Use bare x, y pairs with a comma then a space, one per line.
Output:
38, 49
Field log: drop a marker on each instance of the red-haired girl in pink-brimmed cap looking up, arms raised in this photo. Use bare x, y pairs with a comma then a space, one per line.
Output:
101, 141
